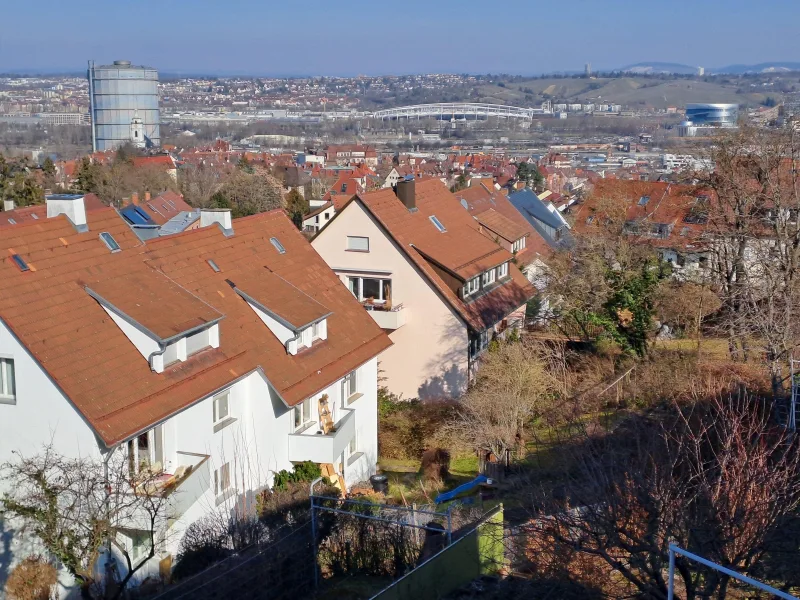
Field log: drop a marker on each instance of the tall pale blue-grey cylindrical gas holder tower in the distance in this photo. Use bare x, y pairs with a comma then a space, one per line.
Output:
122, 94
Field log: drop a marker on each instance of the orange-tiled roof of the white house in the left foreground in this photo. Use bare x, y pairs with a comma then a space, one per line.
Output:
100, 370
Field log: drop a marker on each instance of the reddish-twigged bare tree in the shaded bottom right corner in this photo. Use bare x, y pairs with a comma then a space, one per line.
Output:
716, 477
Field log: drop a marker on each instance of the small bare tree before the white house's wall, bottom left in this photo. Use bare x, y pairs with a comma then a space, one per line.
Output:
77, 508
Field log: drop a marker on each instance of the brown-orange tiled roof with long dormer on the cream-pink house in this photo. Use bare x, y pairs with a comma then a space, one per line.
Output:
461, 251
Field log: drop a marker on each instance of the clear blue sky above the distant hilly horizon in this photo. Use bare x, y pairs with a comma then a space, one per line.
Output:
350, 37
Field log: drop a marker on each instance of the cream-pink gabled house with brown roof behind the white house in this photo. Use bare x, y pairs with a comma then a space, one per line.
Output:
427, 275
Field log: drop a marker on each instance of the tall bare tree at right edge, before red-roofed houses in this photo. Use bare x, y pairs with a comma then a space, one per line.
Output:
753, 222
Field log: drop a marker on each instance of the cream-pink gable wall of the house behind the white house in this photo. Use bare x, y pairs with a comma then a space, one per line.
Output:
429, 358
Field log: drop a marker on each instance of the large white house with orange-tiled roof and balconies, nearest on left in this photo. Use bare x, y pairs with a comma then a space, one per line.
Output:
215, 357
